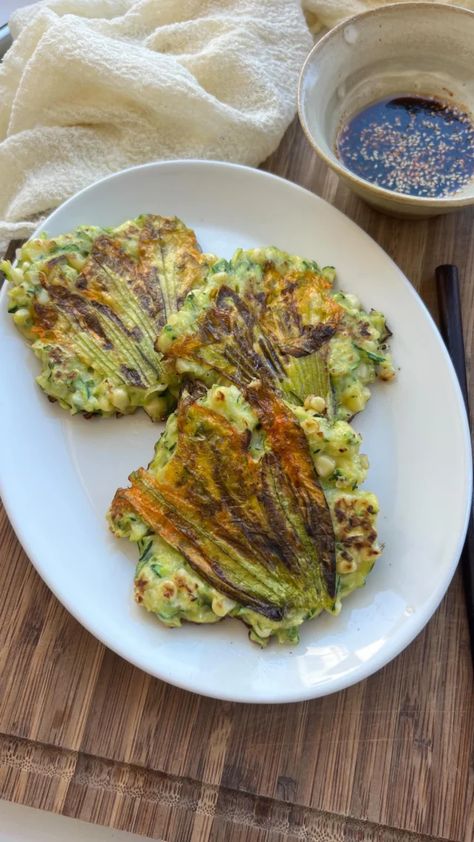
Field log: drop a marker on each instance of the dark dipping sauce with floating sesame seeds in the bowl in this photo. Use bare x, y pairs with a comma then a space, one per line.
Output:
410, 144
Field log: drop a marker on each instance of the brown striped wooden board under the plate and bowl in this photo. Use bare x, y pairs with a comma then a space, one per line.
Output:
85, 734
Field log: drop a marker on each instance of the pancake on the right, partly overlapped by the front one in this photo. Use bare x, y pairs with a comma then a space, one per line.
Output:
270, 315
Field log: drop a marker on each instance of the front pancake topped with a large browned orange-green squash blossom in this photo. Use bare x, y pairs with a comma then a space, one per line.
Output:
234, 516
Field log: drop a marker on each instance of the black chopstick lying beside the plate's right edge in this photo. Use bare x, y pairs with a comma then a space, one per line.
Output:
449, 300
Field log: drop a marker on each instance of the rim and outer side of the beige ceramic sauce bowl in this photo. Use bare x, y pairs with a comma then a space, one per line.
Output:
380, 192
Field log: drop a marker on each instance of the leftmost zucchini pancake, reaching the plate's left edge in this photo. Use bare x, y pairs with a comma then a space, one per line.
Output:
91, 304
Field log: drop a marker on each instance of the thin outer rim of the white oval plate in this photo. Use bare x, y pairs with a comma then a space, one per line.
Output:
407, 633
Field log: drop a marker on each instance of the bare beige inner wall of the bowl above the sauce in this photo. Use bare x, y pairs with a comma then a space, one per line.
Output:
423, 49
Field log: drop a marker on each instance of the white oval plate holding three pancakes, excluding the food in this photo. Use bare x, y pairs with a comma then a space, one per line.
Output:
60, 473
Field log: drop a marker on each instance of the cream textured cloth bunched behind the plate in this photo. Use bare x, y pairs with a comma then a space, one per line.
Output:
92, 86
